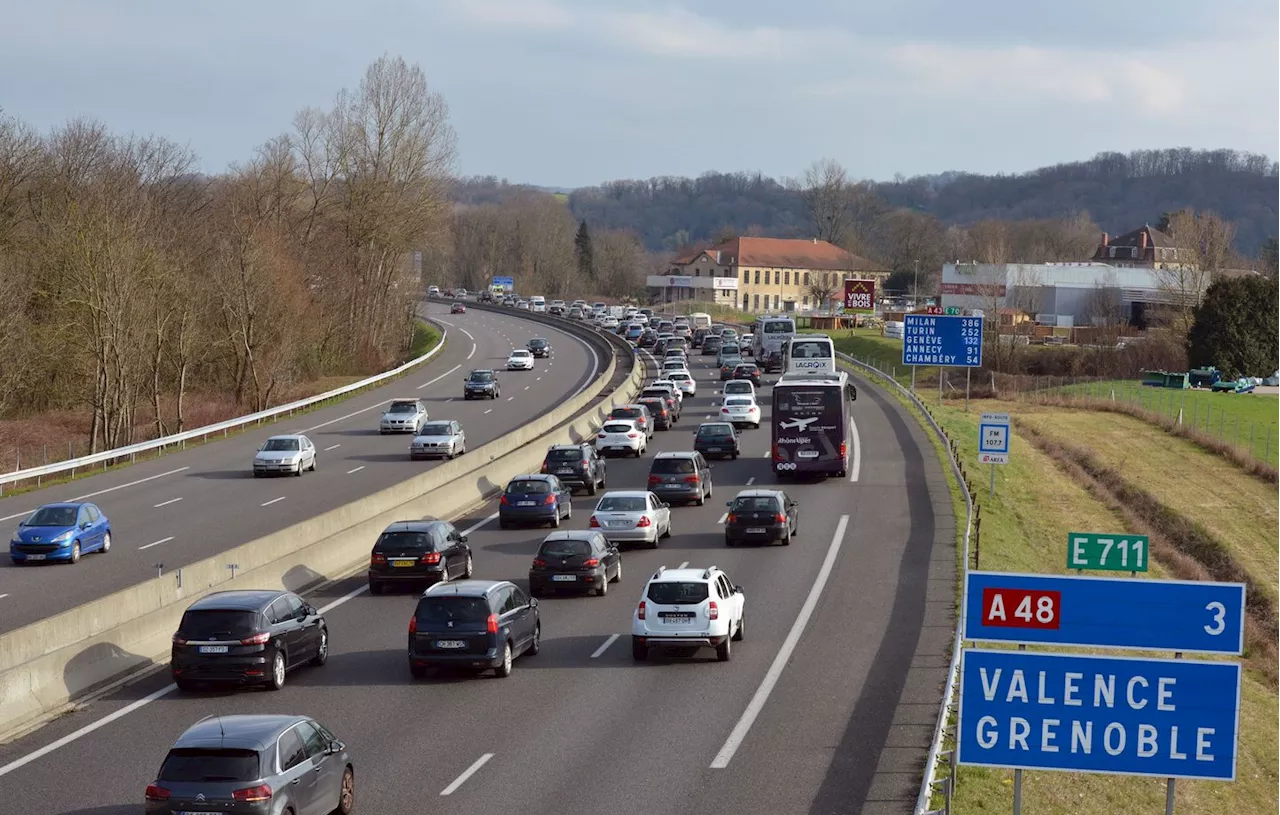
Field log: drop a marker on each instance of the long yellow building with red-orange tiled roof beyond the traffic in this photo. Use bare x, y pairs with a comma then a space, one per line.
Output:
771, 274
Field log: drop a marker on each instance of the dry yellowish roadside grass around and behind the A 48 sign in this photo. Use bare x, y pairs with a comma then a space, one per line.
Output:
1025, 529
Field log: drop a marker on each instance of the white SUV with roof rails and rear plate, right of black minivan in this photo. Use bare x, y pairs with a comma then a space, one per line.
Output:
689, 610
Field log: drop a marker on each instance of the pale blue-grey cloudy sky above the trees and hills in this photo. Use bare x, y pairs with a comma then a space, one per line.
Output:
573, 93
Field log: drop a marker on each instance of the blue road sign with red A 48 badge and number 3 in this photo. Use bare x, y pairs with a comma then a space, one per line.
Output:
1105, 612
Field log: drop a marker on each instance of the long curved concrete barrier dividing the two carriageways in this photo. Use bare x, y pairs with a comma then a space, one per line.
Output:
49, 665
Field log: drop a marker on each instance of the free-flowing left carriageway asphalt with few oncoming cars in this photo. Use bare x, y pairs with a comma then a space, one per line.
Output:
191, 505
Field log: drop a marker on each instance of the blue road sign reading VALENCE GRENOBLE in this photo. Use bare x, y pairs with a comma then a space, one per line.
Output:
1172, 718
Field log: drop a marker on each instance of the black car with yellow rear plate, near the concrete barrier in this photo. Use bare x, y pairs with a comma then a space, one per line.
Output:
419, 552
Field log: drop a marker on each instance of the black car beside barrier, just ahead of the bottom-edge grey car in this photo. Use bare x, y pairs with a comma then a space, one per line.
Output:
246, 638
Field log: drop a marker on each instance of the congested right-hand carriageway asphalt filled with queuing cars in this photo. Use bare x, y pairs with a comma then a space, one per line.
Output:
828, 707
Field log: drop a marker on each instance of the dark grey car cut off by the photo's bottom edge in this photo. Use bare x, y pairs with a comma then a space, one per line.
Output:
262, 764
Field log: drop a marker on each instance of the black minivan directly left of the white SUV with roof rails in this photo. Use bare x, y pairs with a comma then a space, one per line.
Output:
477, 624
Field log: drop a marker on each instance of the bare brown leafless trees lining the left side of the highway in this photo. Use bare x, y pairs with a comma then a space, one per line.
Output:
135, 285
